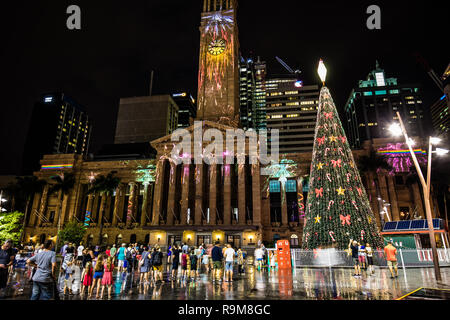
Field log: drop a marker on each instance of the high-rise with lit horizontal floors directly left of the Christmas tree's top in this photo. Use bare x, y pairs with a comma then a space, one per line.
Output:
293, 111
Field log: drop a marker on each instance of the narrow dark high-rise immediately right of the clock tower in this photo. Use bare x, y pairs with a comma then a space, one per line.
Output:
252, 94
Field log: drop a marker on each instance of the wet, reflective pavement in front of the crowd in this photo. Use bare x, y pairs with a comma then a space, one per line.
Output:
299, 284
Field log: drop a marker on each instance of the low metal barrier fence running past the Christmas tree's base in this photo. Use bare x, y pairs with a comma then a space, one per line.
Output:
340, 258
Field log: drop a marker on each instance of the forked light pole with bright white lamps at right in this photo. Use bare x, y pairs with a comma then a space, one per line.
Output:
398, 130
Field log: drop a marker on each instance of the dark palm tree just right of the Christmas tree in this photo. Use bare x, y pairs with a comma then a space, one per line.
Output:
369, 166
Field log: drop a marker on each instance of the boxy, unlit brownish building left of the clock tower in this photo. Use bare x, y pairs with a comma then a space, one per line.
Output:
143, 119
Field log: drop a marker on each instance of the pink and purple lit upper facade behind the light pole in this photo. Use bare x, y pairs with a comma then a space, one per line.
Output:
399, 157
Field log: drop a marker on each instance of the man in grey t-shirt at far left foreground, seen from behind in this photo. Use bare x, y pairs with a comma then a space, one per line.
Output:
45, 276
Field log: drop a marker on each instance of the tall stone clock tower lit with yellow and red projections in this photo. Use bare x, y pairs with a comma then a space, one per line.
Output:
218, 89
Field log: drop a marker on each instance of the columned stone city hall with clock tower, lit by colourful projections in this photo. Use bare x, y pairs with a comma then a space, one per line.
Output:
160, 201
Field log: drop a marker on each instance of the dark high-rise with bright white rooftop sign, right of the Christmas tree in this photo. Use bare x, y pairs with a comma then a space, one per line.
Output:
372, 107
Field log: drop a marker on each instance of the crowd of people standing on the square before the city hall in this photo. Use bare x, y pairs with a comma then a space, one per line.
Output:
98, 266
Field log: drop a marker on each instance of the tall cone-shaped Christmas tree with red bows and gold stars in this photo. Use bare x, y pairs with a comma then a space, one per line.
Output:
337, 207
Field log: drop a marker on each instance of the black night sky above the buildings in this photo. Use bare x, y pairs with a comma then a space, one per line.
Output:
121, 41
